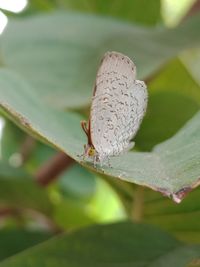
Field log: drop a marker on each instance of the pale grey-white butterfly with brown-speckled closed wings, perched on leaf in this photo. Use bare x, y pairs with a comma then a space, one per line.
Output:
118, 105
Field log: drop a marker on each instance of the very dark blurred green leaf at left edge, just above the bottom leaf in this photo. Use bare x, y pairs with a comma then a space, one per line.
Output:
14, 241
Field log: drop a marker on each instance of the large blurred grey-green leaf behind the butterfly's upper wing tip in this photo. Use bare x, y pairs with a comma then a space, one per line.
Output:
61, 65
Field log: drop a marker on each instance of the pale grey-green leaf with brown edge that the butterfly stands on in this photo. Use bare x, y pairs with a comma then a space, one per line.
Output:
172, 168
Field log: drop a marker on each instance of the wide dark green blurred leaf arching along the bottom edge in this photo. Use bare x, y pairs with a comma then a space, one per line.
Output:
122, 244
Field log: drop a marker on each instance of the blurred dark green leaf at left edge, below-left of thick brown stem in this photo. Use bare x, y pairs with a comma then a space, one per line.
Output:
18, 190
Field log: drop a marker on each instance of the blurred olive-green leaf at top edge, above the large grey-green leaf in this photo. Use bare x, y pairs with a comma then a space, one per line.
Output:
140, 11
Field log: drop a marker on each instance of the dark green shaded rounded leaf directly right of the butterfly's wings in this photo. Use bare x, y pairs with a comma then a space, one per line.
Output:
167, 113
